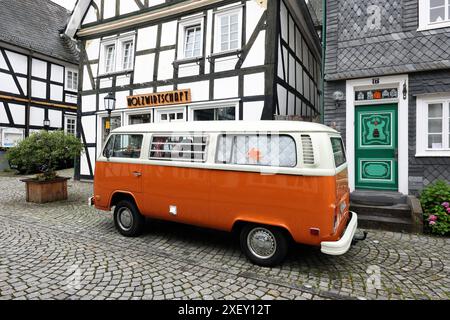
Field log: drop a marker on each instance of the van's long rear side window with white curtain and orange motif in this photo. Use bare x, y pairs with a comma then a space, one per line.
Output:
263, 150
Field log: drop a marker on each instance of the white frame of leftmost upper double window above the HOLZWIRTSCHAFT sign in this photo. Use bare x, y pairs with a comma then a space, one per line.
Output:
119, 45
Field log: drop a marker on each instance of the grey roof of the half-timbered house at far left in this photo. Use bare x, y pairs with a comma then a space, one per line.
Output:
36, 25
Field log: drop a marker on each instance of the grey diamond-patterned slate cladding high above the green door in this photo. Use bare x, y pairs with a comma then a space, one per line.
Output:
358, 46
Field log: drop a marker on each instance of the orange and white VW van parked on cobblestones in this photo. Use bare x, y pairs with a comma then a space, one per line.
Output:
271, 181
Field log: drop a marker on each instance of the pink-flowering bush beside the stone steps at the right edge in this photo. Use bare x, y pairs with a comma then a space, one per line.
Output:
435, 201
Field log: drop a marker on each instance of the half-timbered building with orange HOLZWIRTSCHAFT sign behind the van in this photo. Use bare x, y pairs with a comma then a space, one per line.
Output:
192, 61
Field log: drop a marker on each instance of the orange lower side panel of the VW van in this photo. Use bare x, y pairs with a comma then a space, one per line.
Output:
219, 198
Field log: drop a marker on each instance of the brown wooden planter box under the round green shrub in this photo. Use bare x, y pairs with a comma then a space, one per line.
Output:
46, 191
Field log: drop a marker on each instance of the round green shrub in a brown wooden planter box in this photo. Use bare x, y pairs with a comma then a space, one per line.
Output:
42, 152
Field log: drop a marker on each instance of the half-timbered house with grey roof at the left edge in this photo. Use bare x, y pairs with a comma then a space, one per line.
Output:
38, 70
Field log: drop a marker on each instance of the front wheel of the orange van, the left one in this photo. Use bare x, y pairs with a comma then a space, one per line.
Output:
127, 219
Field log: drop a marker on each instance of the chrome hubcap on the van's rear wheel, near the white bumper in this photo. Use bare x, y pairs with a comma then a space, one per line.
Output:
261, 243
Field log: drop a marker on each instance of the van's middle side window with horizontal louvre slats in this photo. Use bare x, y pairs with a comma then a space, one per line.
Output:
178, 148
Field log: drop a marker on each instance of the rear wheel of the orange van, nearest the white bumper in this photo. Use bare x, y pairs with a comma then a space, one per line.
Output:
267, 257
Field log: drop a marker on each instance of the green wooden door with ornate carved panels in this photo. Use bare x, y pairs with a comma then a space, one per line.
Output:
376, 147
